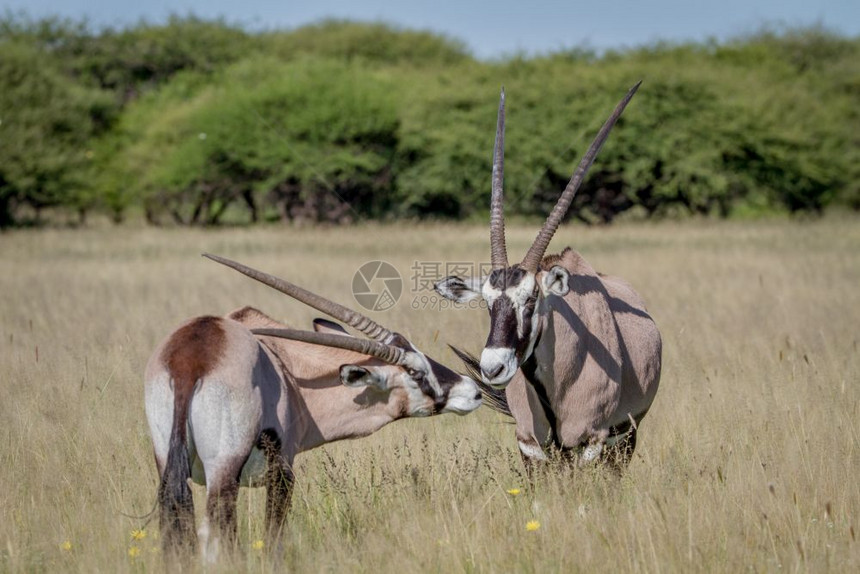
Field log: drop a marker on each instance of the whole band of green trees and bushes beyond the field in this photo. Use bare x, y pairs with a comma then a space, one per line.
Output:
200, 122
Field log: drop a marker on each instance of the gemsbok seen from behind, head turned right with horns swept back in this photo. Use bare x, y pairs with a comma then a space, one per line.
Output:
231, 400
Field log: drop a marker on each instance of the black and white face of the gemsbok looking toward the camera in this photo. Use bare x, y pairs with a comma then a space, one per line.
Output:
512, 295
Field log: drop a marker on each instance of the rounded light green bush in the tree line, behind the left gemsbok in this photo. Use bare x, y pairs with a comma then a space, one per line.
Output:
305, 140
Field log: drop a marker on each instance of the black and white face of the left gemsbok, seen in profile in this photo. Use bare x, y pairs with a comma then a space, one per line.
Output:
431, 388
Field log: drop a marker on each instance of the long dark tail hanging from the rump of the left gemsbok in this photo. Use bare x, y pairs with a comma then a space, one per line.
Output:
174, 493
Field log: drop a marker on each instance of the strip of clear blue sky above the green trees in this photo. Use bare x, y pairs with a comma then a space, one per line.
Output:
492, 28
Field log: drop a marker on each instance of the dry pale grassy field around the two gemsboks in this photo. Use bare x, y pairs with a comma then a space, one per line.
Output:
748, 460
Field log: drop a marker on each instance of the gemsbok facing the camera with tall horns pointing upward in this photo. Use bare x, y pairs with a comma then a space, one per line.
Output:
575, 351
